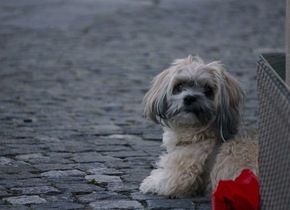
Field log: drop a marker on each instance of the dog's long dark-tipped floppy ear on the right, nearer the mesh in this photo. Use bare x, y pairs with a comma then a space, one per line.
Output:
229, 99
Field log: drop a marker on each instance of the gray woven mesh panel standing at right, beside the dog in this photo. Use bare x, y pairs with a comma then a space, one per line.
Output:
274, 139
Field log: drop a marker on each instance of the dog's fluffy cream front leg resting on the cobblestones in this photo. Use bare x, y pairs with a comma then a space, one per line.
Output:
178, 174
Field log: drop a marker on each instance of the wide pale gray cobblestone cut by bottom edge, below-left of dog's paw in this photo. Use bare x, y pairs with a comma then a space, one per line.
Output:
116, 204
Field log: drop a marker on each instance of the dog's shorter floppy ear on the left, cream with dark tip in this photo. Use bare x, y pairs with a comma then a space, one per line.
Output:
155, 100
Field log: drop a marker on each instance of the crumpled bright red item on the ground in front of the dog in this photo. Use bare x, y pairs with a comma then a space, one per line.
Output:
240, 194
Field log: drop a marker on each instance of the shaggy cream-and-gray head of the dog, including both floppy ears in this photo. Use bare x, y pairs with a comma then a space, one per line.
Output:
192, 93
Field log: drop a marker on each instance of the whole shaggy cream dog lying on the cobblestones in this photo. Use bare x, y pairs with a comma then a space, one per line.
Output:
198, 105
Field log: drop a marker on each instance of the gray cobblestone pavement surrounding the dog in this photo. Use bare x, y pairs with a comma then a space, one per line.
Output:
72, 77
